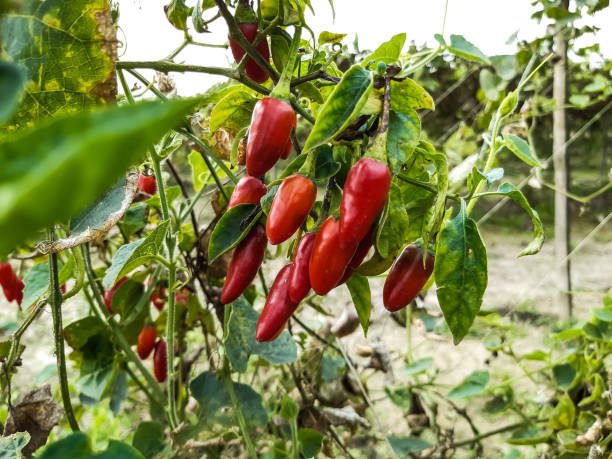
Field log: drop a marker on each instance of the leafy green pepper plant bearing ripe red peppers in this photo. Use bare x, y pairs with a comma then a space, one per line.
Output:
105, 199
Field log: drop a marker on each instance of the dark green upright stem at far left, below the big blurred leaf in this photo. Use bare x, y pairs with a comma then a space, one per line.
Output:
55, 300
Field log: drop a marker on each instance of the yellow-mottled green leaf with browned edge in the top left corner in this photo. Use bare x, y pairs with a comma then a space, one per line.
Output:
40, 36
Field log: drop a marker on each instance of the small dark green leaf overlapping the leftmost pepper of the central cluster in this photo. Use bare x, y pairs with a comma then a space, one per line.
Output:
231, 228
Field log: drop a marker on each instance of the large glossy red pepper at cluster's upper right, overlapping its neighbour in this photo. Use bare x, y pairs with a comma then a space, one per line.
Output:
365, 192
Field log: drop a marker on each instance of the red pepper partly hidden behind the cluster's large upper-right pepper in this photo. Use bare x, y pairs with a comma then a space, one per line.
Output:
329, 259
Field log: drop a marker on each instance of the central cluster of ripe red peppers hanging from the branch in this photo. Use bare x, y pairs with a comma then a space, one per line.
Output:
327, 258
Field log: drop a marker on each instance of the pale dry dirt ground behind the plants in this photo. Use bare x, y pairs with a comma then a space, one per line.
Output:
523, 284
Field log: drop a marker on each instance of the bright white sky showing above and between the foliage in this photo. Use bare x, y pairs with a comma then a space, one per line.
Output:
486, 23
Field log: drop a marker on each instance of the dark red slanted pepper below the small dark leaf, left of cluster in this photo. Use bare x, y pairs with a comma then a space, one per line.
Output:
245, 263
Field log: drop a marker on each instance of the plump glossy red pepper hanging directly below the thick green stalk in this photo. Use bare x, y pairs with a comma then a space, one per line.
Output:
271, 124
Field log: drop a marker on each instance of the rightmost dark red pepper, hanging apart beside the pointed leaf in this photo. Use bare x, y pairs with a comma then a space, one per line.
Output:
407, 277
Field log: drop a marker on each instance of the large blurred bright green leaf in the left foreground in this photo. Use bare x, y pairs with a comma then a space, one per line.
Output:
47, 174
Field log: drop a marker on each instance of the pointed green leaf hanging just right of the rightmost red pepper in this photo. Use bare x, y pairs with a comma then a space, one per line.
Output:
461, 273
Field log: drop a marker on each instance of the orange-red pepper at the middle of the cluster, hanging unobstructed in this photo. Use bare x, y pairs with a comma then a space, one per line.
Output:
290, 207
